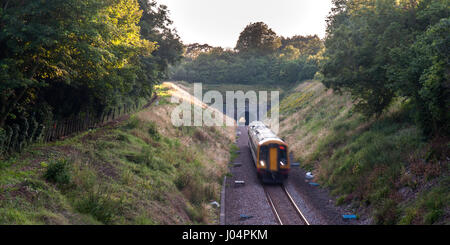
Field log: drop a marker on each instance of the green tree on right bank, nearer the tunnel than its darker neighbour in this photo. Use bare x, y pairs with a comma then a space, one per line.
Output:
356, 52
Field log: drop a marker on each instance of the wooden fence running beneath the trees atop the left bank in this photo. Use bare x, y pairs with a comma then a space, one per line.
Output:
15, 137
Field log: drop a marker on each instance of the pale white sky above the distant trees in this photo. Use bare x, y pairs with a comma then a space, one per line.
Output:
219, 22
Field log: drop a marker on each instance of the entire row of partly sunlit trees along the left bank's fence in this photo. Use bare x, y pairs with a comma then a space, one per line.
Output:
63, 58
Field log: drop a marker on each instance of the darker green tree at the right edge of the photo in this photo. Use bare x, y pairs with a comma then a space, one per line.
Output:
421, 72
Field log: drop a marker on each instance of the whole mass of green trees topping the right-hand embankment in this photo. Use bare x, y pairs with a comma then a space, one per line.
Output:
383, 50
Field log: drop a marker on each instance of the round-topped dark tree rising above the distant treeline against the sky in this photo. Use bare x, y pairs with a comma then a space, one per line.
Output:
258, 38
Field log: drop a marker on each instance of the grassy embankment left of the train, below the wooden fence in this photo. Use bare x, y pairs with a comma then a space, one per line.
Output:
141, 170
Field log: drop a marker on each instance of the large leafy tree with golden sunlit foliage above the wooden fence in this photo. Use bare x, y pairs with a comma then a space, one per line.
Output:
89, 46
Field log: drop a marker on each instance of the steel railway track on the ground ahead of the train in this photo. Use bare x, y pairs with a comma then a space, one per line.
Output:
283, 206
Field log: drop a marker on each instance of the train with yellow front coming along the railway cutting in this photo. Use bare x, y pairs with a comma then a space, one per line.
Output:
269, 152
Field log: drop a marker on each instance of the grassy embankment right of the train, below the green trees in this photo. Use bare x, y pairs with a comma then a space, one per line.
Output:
383, 168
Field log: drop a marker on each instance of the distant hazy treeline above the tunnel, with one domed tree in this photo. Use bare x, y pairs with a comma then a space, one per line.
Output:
260, 57
